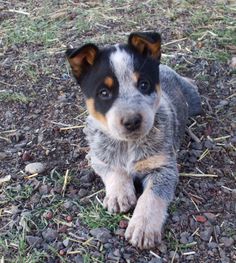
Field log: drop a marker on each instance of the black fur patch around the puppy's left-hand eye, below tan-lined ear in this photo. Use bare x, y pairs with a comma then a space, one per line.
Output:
93, 84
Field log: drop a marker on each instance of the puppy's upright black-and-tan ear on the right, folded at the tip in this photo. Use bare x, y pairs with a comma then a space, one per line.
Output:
146, 43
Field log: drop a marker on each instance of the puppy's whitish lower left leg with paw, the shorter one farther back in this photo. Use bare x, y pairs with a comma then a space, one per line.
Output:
120, 192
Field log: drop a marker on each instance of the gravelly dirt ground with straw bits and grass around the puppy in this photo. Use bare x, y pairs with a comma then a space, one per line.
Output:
56, 215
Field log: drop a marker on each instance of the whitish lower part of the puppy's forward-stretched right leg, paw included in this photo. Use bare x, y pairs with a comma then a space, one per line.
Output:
145, 226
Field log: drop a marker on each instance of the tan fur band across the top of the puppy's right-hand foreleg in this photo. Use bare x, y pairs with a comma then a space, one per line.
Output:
153, 162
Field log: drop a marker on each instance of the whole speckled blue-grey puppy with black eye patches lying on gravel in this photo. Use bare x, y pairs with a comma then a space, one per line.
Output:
138, 111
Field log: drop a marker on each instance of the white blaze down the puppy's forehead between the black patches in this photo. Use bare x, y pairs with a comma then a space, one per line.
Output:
123, 67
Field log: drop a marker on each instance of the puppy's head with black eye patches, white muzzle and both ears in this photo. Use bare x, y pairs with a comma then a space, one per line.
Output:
121, 84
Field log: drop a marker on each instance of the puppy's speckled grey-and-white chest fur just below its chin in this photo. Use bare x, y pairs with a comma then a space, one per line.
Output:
121, 154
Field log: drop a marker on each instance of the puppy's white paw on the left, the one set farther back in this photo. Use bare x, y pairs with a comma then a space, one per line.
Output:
120, 200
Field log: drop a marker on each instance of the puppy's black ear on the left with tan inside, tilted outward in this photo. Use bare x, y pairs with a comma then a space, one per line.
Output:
81, 59
